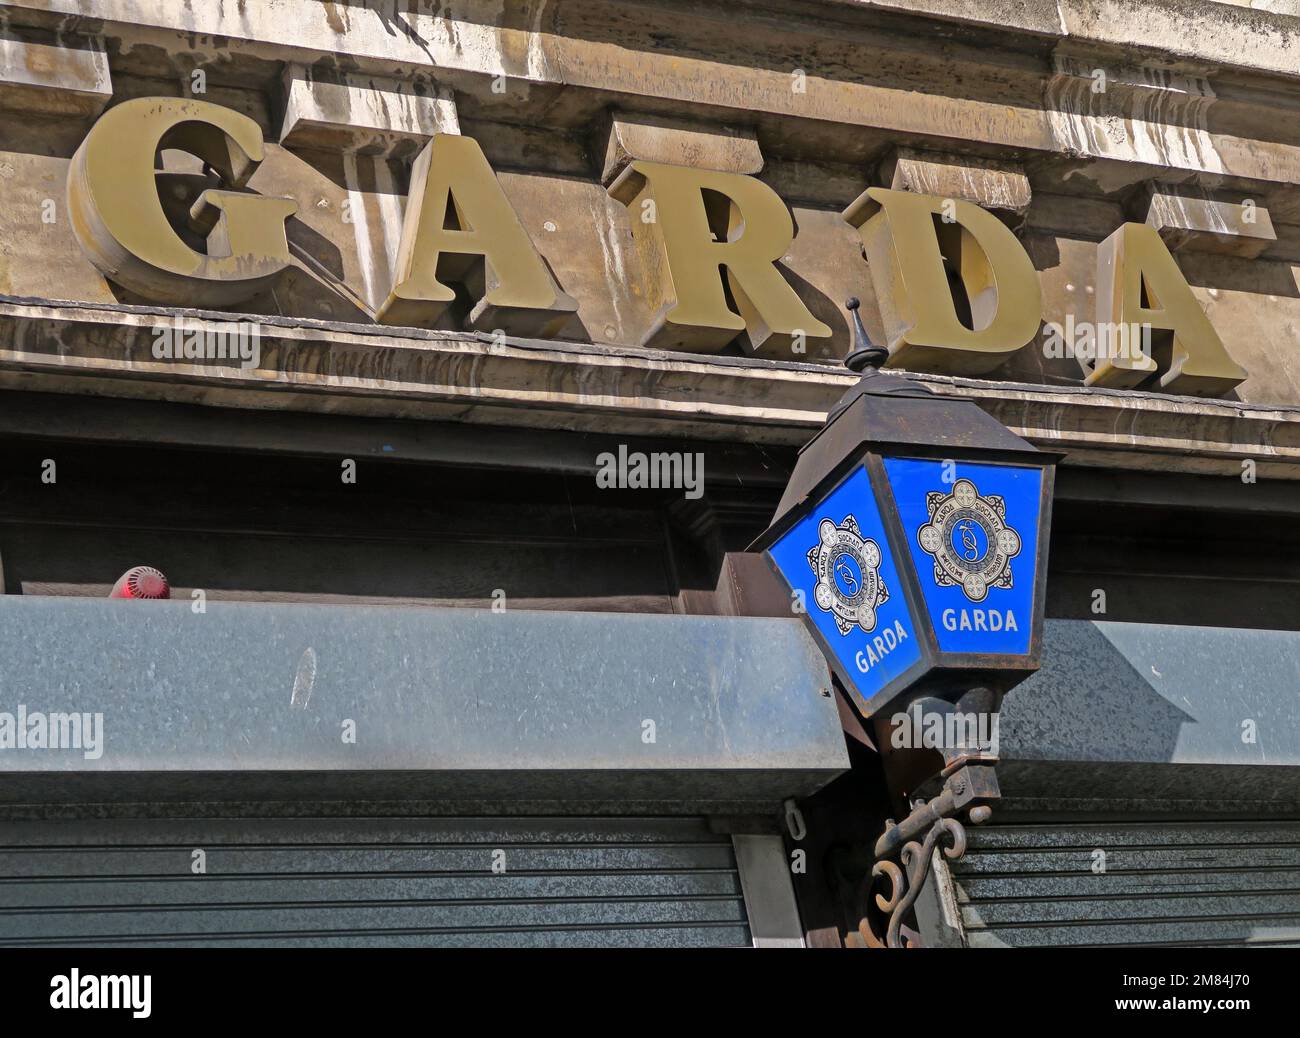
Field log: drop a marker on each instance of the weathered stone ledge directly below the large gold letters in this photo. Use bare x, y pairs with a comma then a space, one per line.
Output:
361, 370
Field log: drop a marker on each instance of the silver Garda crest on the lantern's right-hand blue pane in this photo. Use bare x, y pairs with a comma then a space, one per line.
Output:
970, 542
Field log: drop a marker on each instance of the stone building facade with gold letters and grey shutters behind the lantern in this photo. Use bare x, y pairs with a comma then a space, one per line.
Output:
356, 442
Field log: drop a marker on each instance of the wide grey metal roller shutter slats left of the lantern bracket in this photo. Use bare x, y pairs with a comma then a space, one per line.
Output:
371, 883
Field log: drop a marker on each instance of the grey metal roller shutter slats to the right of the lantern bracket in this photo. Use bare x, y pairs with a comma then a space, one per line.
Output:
1168, 883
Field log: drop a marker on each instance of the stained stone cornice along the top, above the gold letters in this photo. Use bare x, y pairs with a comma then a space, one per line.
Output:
864, 73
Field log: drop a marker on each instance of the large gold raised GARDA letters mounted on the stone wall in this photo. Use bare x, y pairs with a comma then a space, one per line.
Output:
466, 258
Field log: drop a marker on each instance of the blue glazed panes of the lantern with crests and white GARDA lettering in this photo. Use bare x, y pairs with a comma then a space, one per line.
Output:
911, 569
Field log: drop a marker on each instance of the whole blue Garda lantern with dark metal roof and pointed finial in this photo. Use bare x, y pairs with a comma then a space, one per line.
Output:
913, 538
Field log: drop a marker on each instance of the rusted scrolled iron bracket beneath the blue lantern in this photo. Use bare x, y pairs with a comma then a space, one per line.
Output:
904, 853
